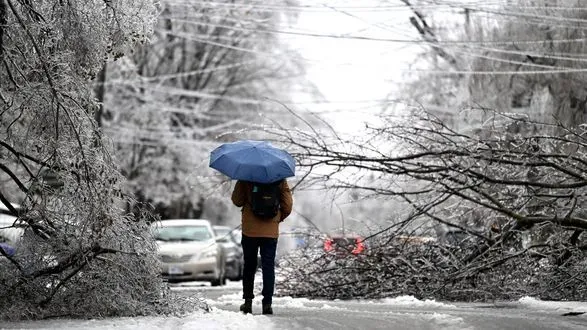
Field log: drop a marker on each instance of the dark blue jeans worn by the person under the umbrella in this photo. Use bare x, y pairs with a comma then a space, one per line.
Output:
251, 246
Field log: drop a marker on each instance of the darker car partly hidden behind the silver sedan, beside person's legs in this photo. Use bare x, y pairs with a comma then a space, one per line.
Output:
229, 239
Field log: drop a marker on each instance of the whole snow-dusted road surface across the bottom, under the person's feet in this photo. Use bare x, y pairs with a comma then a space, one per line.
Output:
300, 313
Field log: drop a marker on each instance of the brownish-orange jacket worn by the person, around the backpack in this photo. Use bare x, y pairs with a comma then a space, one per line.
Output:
252, 226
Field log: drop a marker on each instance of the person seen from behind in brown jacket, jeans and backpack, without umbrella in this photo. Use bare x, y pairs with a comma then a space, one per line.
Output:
264, 207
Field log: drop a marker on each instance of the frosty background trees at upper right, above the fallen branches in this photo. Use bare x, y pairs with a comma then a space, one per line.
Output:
522, 56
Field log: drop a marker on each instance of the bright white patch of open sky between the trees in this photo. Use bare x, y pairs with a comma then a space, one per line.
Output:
355, 75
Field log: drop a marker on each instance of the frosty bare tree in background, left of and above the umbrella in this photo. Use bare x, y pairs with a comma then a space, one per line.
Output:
207, 75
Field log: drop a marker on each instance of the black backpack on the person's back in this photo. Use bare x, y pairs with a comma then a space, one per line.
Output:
265, 199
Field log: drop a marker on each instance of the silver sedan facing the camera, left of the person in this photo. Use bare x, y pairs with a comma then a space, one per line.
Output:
189, 252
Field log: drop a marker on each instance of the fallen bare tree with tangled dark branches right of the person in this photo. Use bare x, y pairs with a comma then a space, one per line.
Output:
495, 185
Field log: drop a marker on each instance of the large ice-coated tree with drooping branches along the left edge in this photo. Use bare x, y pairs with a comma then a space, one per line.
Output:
80, 255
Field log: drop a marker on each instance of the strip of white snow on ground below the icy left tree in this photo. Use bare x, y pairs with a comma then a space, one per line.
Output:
215, 320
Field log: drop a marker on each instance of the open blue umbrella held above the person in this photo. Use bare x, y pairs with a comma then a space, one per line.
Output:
256, 161
